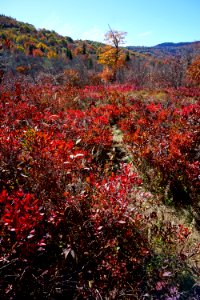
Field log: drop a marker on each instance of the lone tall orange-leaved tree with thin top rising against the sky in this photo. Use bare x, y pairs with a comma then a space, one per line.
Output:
111, 55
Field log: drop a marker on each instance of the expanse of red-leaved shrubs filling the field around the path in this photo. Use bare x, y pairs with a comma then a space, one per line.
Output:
63, 197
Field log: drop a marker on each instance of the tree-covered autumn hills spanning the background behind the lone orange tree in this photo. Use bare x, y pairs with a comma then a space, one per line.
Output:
26, 50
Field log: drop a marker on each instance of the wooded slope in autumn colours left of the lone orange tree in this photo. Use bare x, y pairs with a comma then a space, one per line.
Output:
25, 49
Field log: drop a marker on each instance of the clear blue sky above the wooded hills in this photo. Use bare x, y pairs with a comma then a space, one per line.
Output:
147, 22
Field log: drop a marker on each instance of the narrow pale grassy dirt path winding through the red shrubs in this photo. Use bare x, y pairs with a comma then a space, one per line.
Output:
165, 214
